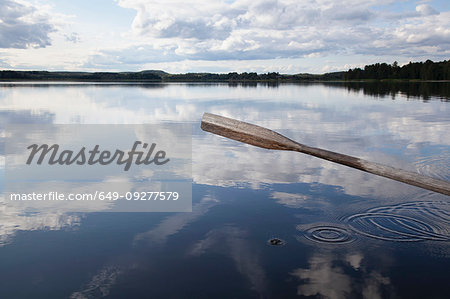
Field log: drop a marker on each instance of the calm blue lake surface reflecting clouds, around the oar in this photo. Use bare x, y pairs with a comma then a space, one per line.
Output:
344, 233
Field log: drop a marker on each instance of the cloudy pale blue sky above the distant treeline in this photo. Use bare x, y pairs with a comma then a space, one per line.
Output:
179, 36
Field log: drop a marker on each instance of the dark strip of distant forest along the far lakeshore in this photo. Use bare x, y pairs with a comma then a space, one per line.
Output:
427, 70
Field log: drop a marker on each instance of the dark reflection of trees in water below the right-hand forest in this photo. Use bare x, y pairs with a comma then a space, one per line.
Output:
421, 90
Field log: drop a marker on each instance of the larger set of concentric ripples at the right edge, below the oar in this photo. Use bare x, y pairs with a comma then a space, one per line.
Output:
407, 222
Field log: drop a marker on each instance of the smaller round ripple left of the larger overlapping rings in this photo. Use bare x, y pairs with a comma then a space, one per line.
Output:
328, 234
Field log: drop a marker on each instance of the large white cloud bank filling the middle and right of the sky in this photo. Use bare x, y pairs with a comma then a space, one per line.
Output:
267, 29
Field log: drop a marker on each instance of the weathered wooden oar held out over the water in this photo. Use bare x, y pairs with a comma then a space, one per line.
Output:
265, 138
